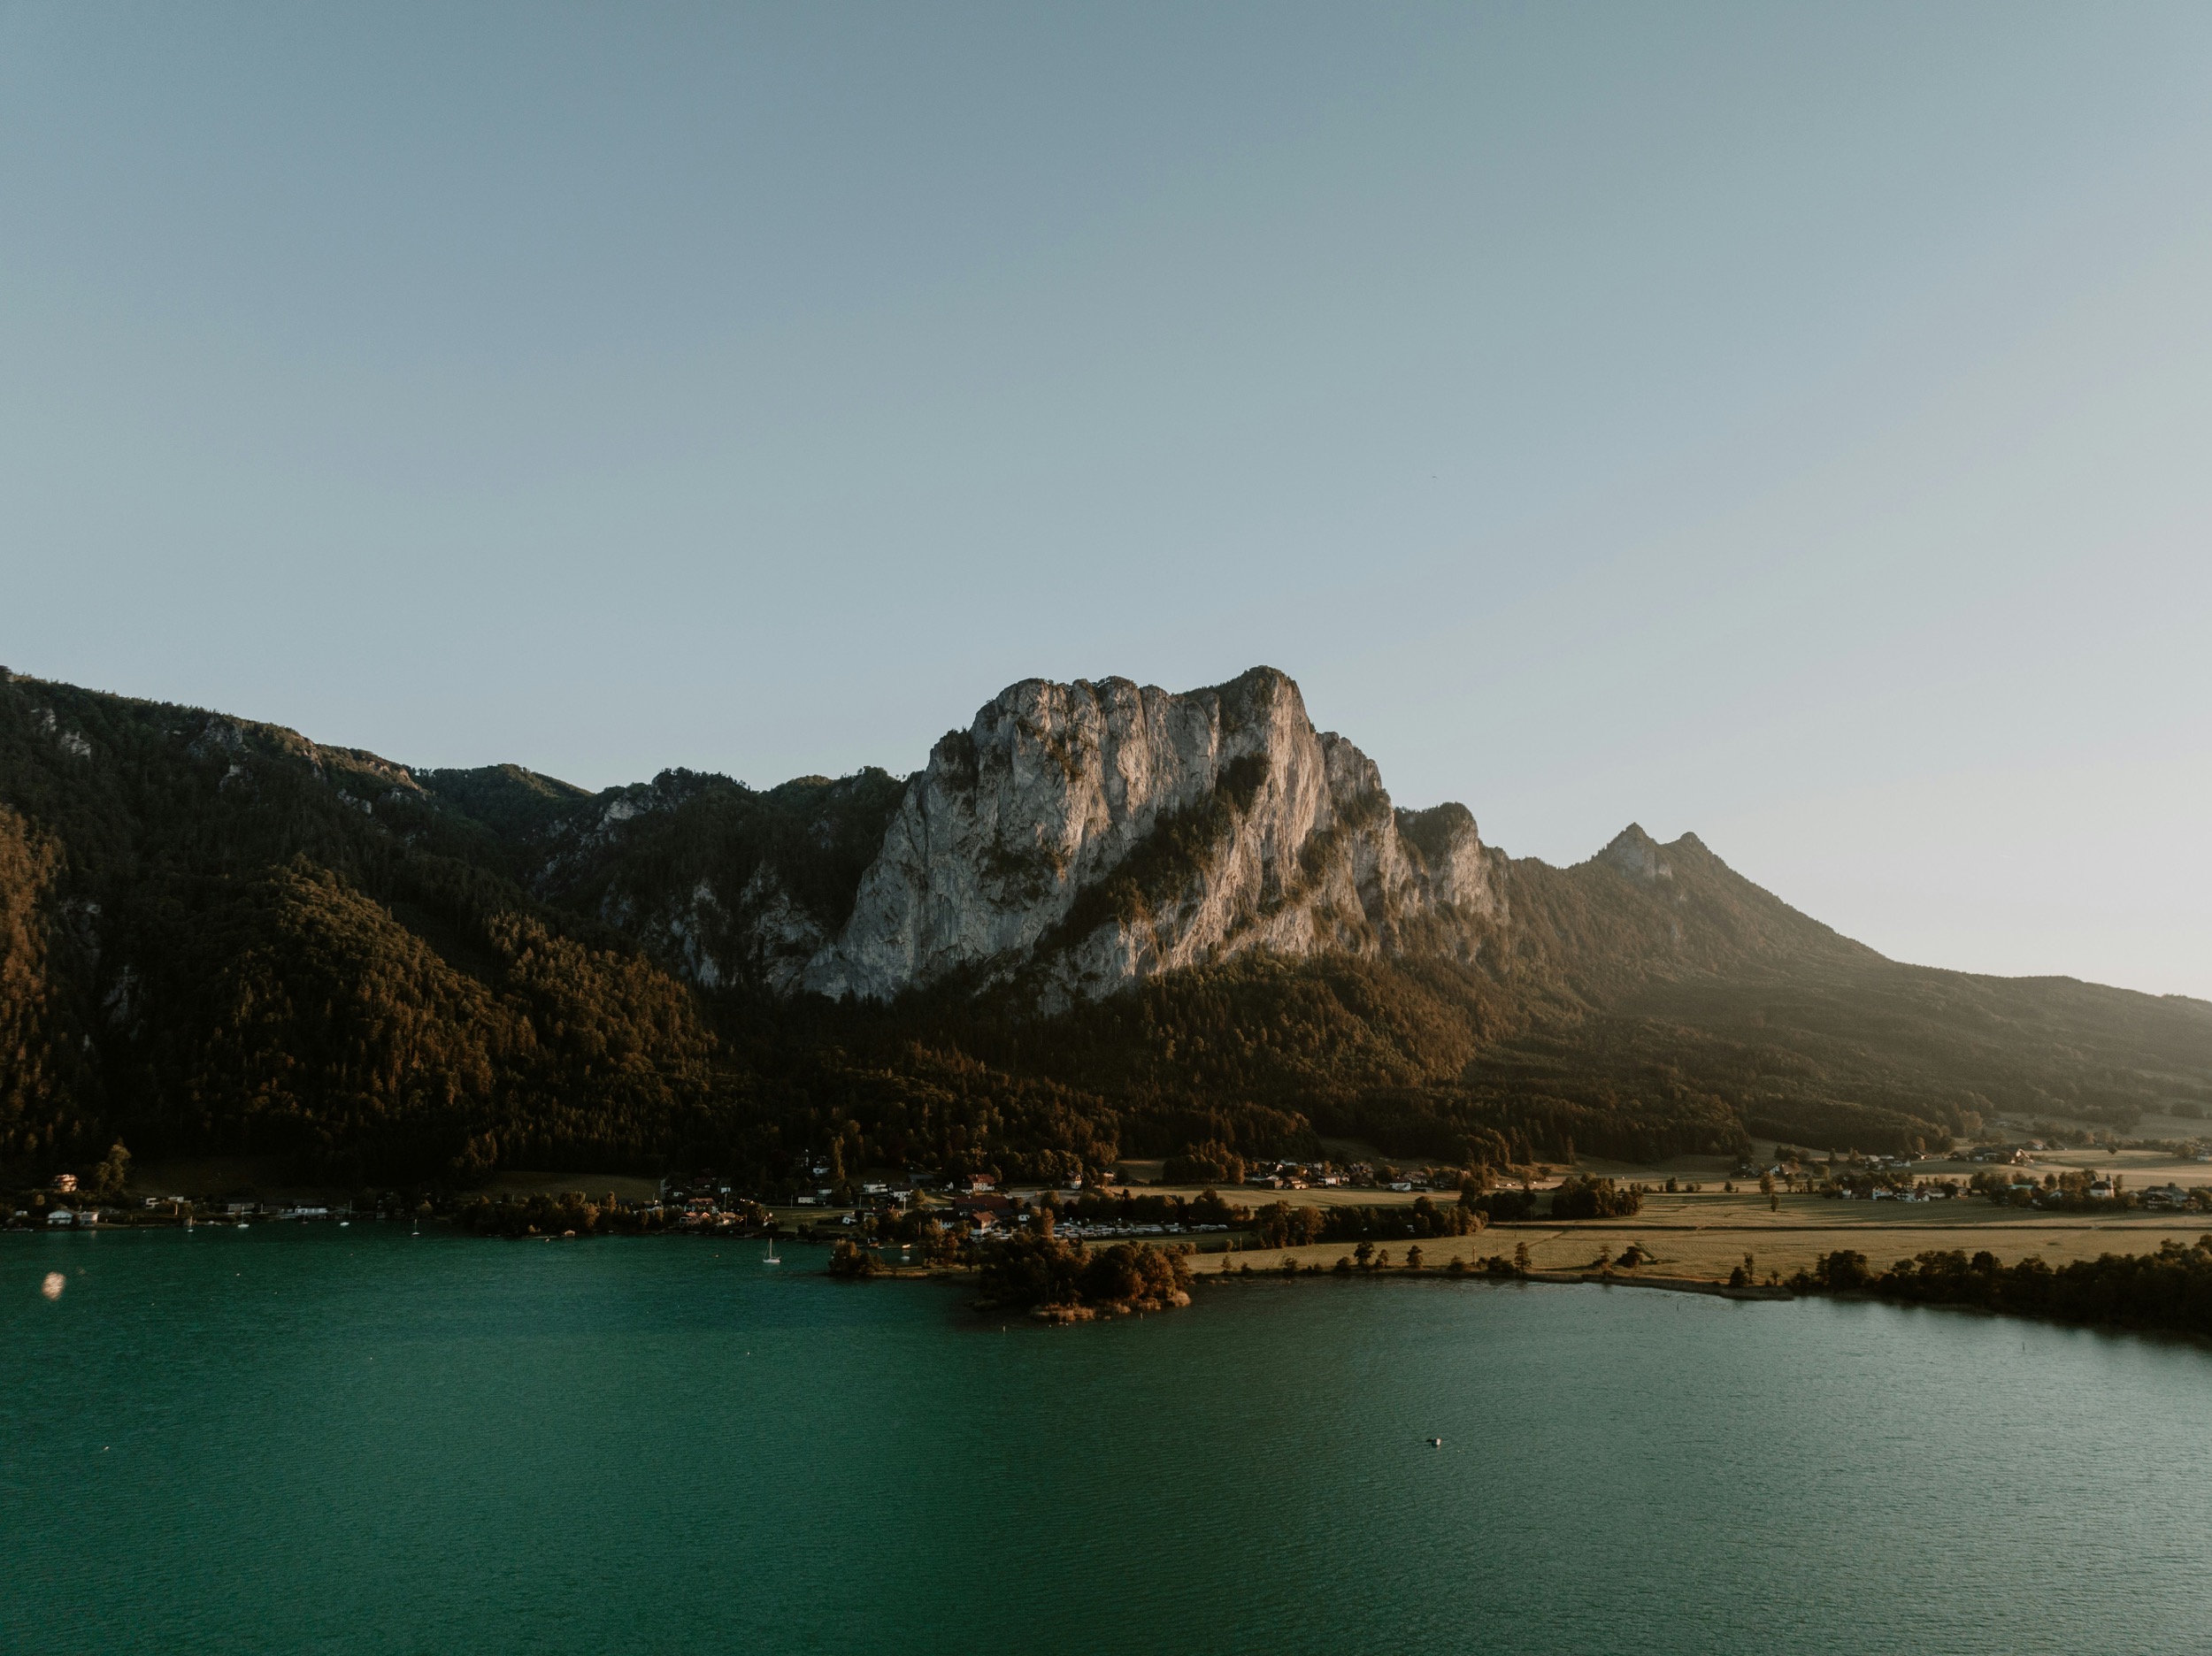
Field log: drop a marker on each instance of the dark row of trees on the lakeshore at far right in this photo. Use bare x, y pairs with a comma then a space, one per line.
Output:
2169, 1290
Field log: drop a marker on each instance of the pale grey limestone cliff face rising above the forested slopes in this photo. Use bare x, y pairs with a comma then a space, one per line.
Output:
1094, 835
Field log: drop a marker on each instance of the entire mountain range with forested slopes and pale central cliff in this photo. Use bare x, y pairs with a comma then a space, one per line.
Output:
1103, 921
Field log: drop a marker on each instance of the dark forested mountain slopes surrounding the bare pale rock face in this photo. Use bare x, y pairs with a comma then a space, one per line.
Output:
225, 939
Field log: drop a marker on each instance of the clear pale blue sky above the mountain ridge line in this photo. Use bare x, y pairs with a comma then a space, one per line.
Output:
1780, 423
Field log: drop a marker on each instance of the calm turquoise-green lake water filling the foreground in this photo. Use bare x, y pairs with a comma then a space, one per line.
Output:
353, 1440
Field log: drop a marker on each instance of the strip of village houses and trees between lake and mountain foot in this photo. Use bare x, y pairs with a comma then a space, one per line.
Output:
941, 1219
